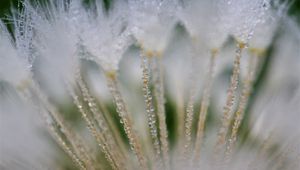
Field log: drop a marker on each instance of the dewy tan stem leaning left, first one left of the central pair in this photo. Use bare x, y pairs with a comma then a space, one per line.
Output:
125, 118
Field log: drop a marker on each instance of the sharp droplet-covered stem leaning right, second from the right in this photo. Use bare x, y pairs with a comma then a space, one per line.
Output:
231, 98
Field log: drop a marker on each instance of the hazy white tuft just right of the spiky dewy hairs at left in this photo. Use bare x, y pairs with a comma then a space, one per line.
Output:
55, 40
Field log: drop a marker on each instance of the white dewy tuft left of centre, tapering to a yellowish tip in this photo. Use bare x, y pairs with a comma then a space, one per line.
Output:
105, 34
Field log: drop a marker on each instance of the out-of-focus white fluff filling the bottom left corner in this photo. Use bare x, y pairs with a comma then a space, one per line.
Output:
23, 144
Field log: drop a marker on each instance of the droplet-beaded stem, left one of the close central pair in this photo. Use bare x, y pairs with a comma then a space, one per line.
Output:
152, 119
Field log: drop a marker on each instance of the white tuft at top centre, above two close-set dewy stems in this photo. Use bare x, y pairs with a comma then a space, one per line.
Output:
152, 20
